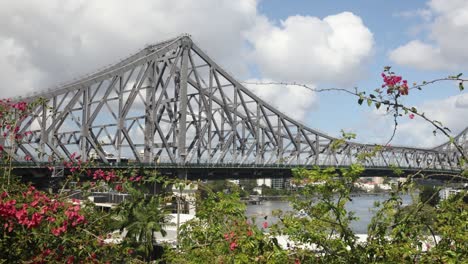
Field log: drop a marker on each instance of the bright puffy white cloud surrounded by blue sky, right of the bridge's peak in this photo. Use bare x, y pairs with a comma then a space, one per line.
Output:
308, 49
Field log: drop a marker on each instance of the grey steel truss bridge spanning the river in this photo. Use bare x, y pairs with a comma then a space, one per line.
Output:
171, 104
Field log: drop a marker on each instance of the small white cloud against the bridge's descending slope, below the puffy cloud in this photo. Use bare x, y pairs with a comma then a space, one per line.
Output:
293, 101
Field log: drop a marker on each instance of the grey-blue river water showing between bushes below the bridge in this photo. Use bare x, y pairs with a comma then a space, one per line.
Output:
362, 205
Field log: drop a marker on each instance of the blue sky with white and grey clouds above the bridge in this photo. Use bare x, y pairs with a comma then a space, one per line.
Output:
323, 44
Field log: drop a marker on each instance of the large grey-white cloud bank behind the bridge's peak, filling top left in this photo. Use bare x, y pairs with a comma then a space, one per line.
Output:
52, 41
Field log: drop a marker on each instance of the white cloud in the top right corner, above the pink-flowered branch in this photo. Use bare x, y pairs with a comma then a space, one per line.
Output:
448, 35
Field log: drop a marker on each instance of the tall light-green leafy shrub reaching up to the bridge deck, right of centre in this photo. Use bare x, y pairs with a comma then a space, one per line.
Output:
326, 229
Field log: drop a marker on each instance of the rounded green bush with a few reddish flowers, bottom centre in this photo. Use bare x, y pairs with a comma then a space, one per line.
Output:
221, 233
